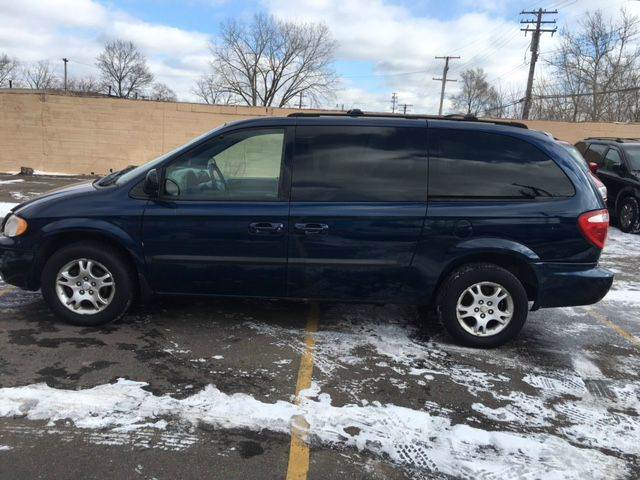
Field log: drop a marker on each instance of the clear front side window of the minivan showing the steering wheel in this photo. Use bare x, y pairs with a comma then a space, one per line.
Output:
239, 166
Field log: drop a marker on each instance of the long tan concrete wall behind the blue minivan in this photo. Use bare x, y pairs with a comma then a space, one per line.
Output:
80, 135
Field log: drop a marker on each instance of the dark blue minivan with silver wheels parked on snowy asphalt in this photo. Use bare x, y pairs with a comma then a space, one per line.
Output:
482, 220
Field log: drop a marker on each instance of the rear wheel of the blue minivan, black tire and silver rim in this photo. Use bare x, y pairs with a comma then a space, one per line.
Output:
482, 305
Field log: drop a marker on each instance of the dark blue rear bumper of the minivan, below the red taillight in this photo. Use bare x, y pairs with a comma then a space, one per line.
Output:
569, 285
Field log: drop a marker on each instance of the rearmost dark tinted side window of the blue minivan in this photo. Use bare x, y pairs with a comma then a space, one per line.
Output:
485, 165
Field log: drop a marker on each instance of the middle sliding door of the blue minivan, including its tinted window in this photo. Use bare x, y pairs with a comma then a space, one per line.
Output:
358, 203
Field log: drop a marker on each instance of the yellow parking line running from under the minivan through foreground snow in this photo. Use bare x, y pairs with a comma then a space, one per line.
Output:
298, 468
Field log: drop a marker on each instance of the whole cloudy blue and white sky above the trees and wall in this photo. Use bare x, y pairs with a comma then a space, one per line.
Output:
385, 46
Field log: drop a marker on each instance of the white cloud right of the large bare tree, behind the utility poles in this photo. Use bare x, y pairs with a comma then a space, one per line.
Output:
397, 42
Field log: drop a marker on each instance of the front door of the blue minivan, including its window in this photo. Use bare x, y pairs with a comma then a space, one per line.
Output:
220, 224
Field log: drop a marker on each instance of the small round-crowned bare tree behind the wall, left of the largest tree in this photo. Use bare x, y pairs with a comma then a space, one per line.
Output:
123, 67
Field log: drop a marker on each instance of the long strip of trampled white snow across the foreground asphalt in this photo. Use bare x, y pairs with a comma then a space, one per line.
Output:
401, 434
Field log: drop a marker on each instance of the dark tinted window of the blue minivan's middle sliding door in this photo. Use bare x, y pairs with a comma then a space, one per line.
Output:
359, 164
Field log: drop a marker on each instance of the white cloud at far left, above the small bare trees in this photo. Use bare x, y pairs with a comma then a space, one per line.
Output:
33, 30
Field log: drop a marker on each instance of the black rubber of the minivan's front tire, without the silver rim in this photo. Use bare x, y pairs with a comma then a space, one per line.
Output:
115, 263
